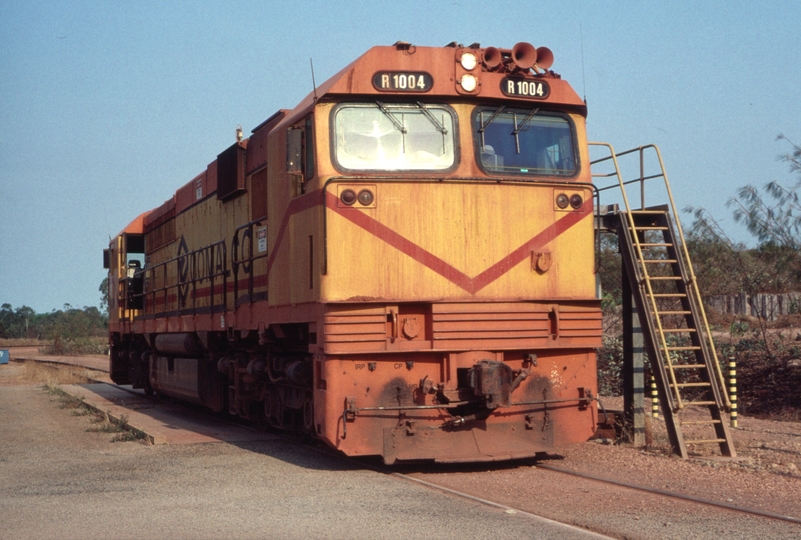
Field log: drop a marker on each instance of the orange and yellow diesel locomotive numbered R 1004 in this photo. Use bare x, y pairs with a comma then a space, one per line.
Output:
402, 265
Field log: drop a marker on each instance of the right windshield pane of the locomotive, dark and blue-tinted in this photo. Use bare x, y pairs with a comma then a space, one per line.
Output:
519, 141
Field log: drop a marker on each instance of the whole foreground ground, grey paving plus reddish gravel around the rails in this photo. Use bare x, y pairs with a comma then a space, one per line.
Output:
57, 480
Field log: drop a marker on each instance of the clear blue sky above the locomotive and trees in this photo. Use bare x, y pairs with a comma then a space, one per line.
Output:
106, 107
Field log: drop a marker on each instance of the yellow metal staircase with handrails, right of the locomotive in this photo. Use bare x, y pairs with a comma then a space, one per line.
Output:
678, 341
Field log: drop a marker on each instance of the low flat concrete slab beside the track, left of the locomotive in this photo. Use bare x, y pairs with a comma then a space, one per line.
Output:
161, 423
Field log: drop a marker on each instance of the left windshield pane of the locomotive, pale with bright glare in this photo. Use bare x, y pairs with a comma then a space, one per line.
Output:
394, 137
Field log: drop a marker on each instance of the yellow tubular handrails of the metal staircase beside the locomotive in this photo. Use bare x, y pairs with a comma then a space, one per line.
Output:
686, 254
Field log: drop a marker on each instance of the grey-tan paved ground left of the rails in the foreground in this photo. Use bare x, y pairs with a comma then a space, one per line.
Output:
59, 481
